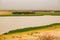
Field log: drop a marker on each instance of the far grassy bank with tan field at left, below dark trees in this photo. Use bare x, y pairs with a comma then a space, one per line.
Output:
33, 14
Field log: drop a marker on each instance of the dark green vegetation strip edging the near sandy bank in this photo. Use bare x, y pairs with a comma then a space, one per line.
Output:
32, 28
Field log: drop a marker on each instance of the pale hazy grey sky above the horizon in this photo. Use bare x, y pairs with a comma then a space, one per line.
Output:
30, 4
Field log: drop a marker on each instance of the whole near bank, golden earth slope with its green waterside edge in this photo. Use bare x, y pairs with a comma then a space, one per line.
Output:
49, 32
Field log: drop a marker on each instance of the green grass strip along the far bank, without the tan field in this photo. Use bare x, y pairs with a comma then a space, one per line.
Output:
35, 14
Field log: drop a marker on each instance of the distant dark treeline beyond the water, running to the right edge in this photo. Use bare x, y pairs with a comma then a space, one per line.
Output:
33, 12
